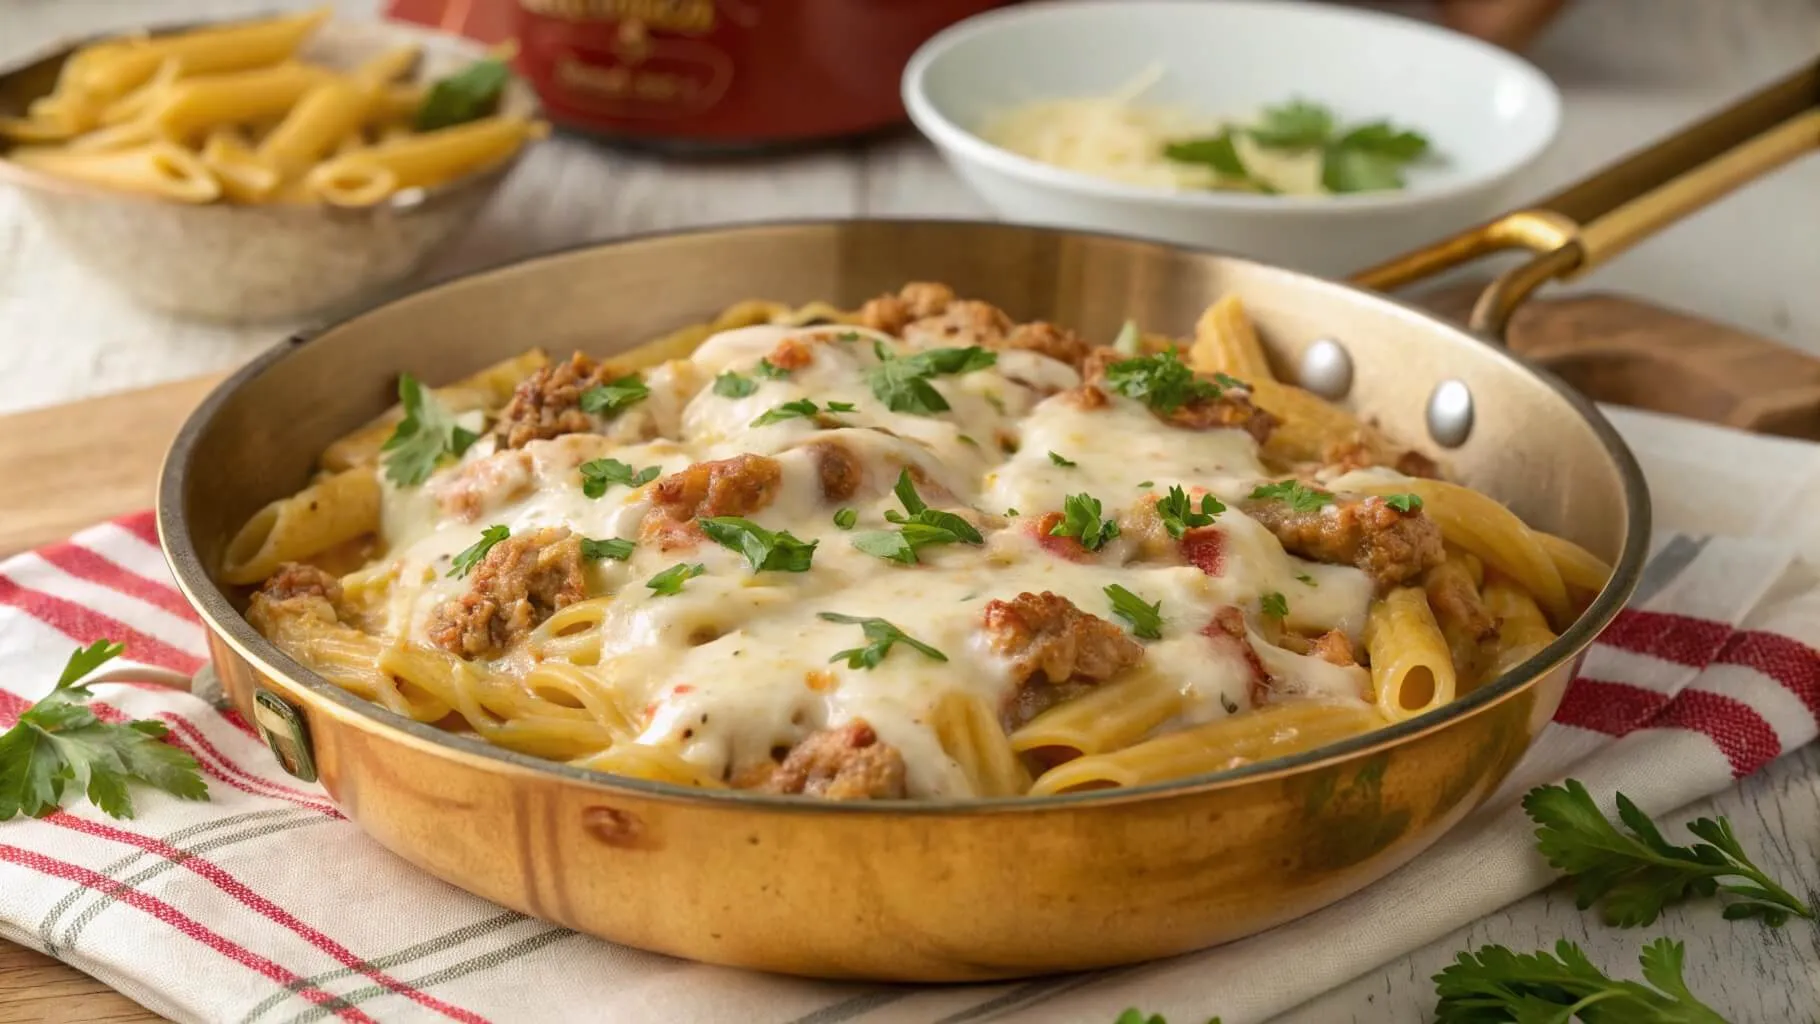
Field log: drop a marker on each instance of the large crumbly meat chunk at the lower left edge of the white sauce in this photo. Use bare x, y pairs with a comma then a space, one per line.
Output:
520, 585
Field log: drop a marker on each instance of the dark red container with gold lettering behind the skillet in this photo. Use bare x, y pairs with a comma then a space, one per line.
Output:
725, 74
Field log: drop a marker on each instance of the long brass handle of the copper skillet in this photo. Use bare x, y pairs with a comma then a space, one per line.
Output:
1617, 208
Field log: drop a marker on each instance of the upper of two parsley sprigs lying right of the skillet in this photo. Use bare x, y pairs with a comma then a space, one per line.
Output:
1641, 872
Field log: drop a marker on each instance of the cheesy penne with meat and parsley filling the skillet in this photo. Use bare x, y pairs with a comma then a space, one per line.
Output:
907, 552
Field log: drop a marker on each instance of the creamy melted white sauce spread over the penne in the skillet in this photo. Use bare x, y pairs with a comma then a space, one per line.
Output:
740, 665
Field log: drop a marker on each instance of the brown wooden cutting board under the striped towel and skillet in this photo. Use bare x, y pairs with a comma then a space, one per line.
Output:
63, 472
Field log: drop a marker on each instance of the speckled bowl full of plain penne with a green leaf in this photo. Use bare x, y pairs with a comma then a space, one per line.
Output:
261, 170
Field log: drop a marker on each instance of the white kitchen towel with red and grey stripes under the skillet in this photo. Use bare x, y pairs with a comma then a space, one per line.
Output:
267, 907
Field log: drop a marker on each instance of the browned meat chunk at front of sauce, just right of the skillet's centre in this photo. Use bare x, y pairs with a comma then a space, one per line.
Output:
1057, 650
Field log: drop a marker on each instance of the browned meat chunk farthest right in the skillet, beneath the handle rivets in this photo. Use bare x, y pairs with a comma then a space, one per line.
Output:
1391, 547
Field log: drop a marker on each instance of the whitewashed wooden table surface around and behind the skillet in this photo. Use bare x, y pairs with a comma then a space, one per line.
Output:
1630, 68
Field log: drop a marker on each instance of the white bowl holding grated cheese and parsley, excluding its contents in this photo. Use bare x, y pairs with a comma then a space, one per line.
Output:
1488, 114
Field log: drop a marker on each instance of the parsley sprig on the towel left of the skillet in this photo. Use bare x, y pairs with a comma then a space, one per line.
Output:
61, 743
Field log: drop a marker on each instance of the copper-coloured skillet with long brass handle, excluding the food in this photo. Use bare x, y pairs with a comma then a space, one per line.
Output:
956, 890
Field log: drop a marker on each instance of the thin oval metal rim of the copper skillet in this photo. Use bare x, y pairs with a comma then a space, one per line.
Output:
219, 616
